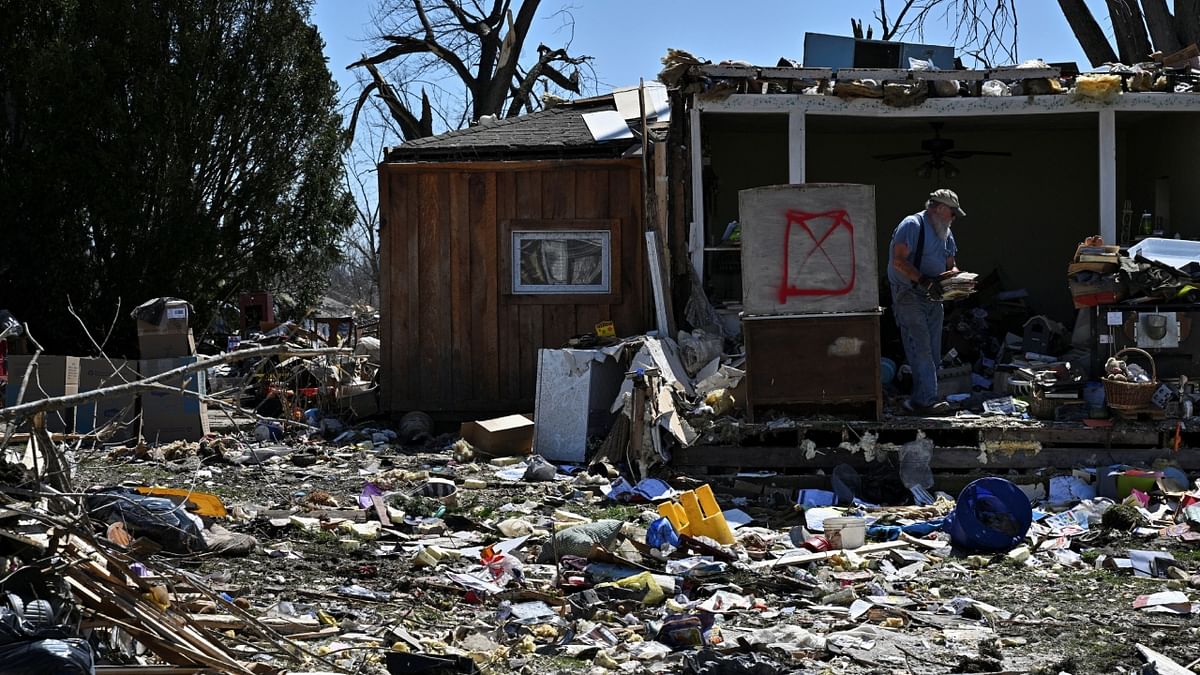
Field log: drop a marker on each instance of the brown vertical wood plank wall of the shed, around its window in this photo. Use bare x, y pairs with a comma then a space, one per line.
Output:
452, 342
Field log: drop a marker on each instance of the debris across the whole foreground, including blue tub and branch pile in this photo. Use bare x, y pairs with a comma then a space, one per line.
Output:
369, 557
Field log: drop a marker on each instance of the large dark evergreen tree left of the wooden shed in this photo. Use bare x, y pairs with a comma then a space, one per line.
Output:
148, 148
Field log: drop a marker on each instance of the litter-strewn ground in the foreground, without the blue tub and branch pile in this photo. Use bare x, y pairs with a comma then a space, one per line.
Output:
435, 572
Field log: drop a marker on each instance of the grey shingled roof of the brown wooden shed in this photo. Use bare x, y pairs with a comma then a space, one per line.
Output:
551, 134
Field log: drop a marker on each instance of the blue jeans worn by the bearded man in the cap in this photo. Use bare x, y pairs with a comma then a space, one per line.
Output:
921, 330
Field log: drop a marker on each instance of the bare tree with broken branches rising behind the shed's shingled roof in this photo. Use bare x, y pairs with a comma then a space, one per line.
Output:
469, 52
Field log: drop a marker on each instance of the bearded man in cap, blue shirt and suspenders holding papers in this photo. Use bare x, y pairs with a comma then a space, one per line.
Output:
923, 249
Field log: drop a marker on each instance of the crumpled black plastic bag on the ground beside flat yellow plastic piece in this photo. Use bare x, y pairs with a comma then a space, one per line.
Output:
157, 518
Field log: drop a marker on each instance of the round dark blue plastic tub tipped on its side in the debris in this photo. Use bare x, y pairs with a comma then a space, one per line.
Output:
991, 516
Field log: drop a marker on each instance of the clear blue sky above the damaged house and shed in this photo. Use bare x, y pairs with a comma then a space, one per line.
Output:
628, 38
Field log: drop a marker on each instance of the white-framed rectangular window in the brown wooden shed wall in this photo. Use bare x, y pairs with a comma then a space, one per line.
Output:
562, 261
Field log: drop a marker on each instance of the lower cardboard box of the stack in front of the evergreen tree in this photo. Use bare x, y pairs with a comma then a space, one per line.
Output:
173, 416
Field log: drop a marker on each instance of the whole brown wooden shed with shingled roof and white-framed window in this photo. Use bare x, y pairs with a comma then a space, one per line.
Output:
499, 241
